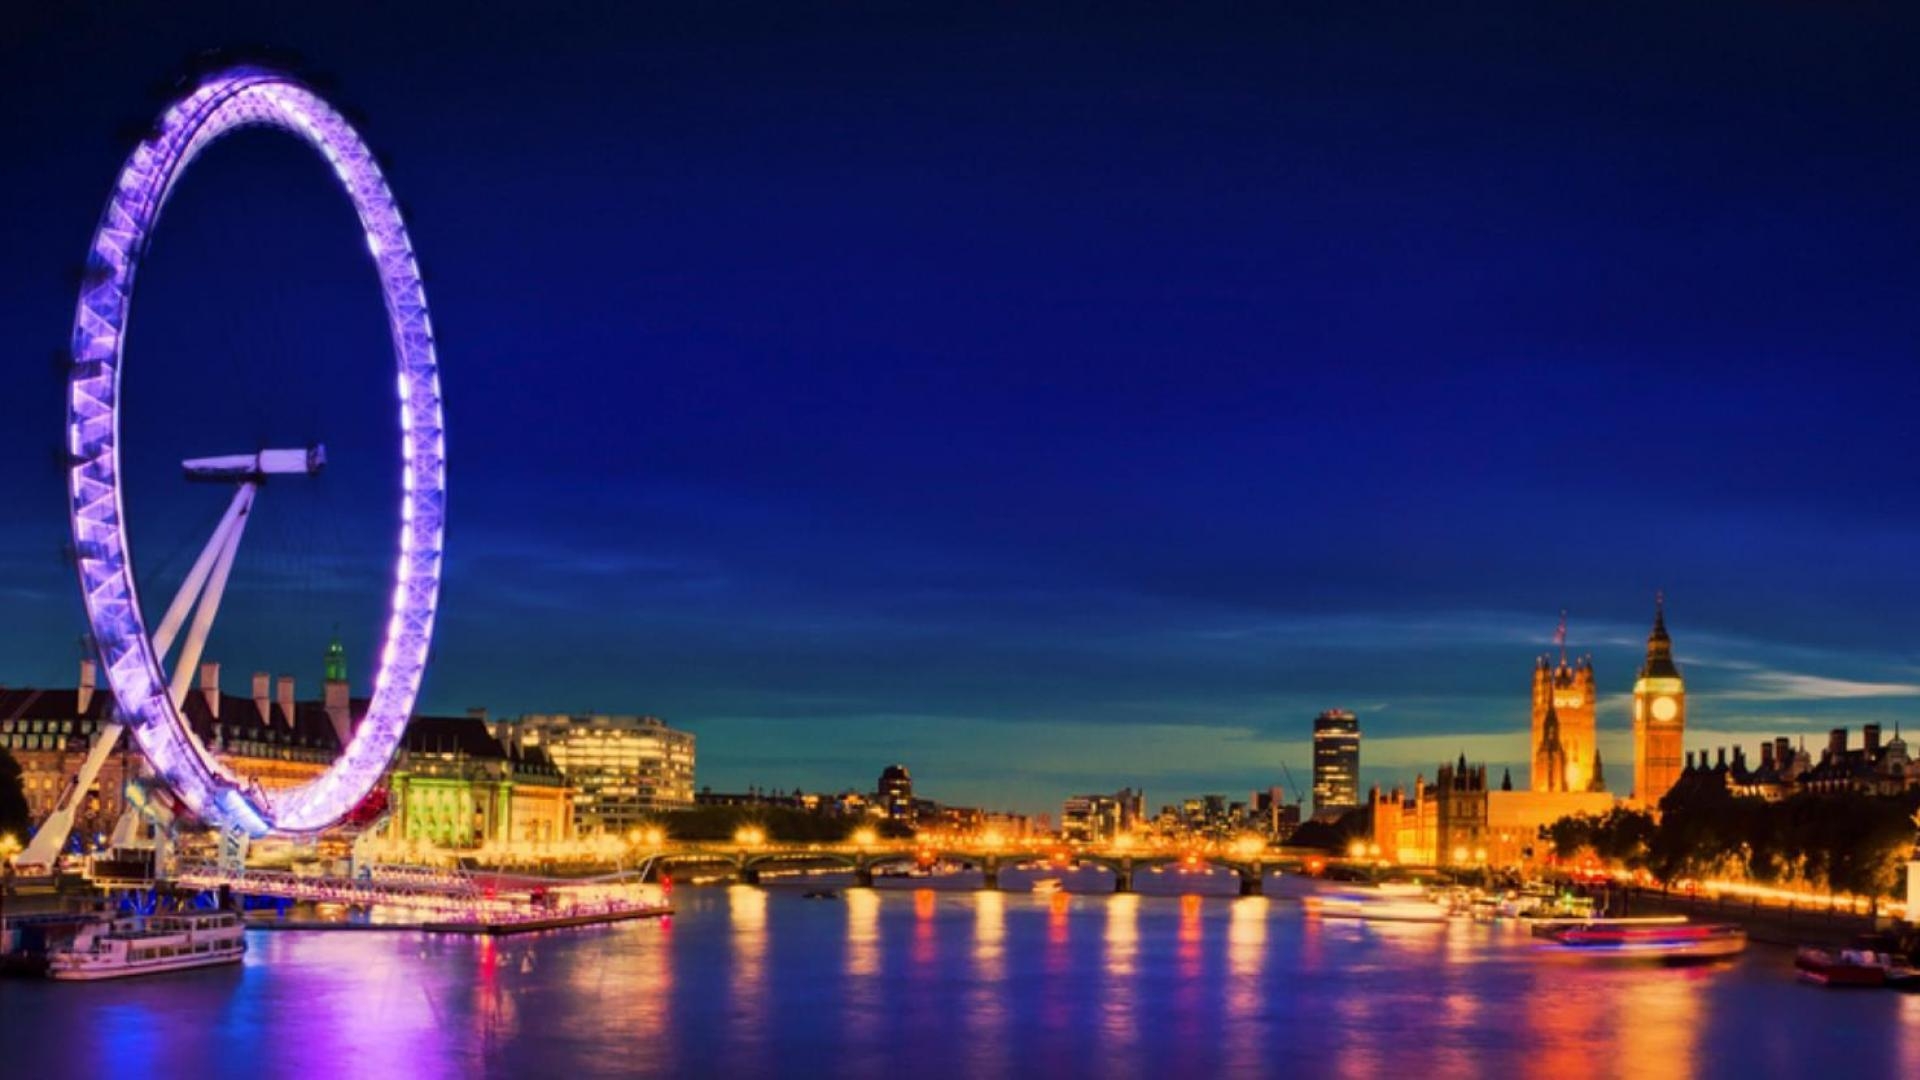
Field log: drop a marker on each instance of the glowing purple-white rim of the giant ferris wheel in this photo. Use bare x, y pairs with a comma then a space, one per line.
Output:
220, 105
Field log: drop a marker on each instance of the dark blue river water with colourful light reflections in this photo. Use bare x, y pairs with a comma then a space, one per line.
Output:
928, 983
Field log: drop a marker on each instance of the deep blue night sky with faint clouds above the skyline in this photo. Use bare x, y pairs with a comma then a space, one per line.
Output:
1051, 401
